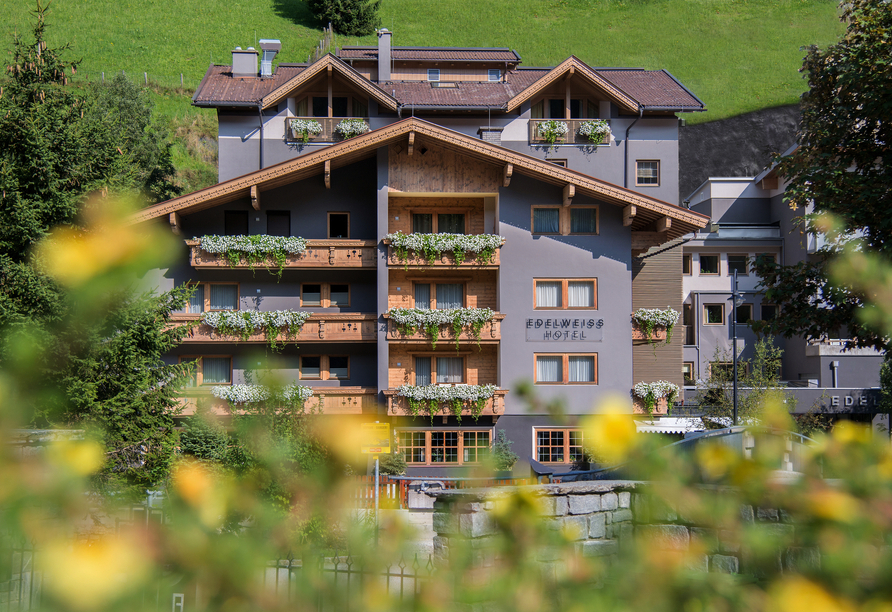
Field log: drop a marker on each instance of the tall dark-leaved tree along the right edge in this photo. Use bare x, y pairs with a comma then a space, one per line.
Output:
844, 167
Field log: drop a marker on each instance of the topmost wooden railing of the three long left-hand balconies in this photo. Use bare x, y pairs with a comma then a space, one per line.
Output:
320, 254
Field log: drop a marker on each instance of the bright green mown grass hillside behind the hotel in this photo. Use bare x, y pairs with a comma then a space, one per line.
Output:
736, 55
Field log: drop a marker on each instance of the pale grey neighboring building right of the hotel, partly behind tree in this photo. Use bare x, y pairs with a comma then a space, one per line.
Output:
749, 217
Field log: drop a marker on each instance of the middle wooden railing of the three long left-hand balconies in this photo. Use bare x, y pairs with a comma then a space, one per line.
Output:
320, 327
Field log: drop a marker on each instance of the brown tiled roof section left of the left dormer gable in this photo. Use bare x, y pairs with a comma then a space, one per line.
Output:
219, 87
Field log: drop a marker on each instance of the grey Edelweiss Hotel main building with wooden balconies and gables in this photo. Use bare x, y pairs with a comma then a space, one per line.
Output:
454, 148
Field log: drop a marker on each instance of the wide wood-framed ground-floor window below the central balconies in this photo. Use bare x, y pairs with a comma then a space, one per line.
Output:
439, 447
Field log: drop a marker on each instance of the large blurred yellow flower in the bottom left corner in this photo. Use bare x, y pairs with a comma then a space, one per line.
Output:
91, 575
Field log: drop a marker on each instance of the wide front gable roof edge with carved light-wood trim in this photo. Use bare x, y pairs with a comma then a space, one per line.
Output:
349, 151
